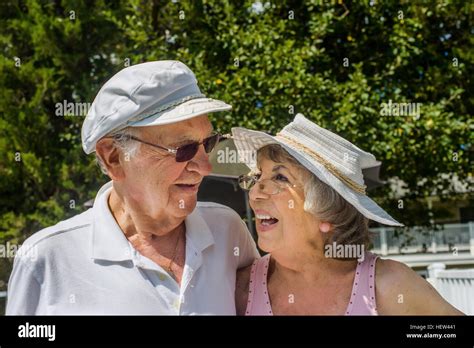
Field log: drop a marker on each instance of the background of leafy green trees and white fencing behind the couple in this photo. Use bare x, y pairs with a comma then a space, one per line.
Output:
340, 63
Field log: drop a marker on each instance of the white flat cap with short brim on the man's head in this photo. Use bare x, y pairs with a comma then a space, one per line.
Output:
148, 94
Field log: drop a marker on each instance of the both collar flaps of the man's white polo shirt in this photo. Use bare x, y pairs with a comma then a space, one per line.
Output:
109, 242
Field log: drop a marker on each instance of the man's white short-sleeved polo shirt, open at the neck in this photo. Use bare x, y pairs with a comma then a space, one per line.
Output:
85, 265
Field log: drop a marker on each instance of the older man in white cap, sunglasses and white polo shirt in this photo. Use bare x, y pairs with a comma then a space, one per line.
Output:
146, 246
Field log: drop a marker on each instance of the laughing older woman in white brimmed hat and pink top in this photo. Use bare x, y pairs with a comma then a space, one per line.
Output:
308, 196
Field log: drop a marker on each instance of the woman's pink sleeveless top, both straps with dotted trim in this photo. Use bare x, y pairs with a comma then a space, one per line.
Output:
362, 301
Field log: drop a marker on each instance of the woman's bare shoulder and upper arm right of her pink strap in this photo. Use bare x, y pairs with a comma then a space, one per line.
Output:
400, 291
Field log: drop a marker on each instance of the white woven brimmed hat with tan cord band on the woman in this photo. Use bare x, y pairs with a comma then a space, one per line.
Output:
334, 160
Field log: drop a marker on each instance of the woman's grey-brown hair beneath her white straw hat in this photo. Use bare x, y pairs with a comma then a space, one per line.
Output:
321, 200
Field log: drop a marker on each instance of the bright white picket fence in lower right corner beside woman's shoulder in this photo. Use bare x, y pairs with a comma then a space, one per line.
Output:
455, 285
